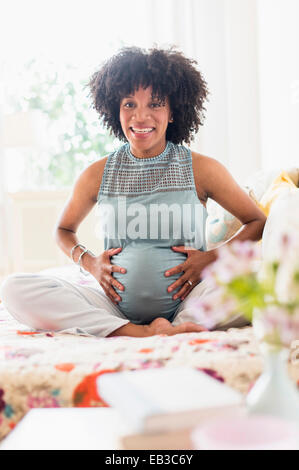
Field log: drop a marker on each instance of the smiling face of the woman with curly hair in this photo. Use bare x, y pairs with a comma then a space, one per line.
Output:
144, 121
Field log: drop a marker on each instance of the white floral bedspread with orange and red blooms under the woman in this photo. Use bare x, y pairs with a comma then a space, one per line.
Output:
45, 370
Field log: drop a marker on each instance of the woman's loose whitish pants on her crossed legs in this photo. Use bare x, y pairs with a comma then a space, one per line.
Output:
46, 302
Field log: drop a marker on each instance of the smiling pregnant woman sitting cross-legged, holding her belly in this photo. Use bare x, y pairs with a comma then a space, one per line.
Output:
150, 195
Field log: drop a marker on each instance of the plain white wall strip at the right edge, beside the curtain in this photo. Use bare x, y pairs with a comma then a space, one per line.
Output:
279, 81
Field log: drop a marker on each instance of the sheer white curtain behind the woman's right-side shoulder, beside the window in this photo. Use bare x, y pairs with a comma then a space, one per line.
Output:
222, 36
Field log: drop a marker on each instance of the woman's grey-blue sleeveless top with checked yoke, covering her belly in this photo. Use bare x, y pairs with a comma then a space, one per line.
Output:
146, 206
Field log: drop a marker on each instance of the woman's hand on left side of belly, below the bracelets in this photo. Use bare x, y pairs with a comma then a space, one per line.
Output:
102, 270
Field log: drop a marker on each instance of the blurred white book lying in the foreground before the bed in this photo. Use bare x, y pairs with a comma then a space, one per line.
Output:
158, 400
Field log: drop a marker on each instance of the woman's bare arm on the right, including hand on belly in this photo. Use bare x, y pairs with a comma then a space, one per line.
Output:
214, 181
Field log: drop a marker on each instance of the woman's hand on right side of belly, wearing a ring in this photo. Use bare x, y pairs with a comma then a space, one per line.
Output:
191, 268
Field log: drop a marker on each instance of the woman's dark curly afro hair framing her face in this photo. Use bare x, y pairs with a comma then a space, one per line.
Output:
170, 74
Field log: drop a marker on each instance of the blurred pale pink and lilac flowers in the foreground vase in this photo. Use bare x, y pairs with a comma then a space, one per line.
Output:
269, 294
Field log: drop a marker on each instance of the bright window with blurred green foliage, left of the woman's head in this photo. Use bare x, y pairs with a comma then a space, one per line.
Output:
52, 48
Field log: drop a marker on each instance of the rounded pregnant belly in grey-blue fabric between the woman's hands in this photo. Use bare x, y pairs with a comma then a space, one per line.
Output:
145, 296
